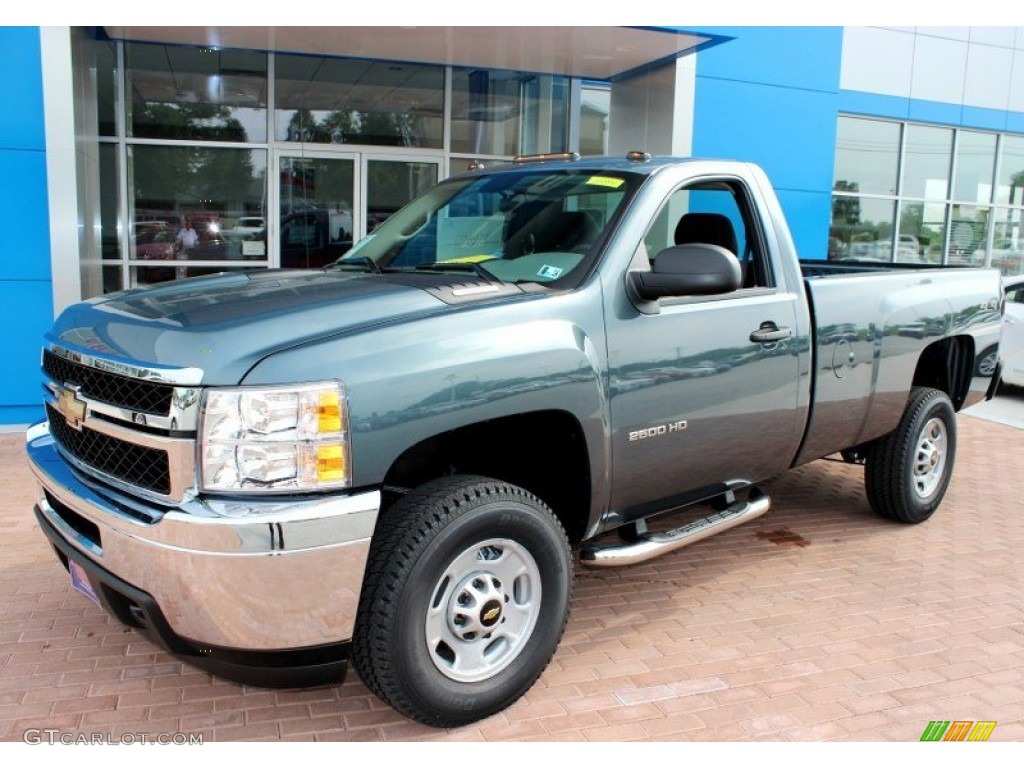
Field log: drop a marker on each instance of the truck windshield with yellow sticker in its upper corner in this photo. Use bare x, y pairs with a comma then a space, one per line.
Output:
518, 227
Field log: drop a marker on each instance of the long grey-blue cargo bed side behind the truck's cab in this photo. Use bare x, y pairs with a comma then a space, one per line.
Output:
871, 323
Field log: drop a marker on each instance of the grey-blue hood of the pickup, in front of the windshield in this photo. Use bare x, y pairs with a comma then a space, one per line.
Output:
225, 325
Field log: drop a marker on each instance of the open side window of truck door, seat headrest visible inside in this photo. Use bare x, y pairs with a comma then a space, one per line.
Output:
716, 212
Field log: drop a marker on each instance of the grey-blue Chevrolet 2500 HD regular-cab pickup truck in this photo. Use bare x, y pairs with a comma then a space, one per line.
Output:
397, 459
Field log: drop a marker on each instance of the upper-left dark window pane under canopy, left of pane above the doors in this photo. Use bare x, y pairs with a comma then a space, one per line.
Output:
184, 93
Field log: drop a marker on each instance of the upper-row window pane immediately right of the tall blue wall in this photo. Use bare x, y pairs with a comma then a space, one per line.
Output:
867, 156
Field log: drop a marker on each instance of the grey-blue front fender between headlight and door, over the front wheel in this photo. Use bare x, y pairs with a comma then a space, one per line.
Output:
411, 381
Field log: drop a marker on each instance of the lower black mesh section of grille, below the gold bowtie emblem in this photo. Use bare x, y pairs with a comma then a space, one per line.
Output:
137, 465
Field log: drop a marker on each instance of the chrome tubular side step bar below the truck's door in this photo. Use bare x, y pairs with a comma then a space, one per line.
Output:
649, 545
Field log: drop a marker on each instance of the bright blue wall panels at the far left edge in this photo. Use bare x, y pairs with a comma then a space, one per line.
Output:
26, 283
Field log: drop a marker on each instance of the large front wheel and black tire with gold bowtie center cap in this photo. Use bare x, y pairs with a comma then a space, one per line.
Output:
465, 600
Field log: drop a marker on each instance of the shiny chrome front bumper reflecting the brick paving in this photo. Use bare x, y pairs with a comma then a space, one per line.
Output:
252, 576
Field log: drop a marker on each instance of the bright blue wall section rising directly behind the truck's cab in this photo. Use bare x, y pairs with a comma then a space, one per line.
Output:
771, 96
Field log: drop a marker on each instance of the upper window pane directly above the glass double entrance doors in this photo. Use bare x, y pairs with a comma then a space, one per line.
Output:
354, 102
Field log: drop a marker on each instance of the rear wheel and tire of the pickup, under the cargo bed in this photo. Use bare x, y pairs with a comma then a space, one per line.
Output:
909, 471
